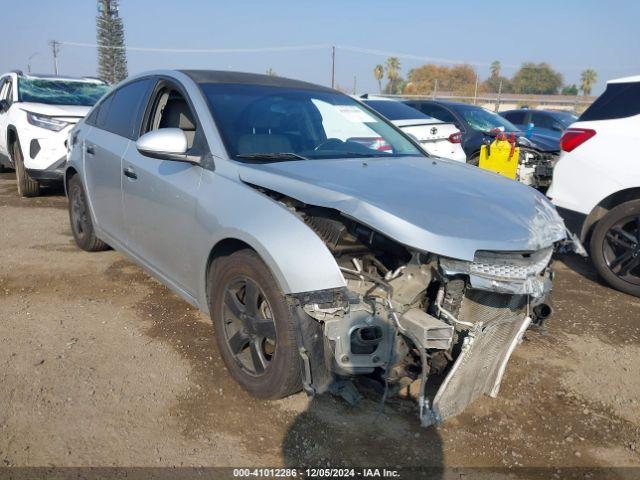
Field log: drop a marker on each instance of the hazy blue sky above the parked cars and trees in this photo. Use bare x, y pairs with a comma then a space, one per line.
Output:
571, 35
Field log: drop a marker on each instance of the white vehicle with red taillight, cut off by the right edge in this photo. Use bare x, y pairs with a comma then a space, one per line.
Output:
596, 182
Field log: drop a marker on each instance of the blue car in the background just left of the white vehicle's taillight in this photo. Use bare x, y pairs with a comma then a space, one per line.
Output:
548, 123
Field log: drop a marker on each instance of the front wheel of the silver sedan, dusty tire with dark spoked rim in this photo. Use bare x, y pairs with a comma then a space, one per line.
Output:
281, 374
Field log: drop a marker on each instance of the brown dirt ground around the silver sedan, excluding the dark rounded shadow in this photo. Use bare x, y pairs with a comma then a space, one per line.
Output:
102, 365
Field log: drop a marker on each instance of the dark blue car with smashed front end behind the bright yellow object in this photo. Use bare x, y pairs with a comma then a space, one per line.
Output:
478, 125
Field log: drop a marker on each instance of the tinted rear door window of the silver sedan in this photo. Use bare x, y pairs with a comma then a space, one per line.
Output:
124, 109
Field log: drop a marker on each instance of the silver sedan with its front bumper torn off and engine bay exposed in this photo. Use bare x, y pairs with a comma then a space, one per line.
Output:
319, 258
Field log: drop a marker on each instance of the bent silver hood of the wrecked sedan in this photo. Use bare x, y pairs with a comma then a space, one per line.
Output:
429, 204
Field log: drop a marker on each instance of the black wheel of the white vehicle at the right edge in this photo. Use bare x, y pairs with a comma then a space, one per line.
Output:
615, 247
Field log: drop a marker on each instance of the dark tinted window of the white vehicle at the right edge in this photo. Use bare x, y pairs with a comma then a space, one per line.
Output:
620, 100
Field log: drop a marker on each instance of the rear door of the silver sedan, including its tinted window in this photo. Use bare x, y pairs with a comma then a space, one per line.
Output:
104, 146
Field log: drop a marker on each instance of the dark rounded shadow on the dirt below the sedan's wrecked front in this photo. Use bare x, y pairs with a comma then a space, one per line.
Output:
332, 434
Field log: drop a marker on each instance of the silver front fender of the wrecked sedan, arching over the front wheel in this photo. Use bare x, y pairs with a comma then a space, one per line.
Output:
297, 257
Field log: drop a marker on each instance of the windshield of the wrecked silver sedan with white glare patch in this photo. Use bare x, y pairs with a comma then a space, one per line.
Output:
268, 123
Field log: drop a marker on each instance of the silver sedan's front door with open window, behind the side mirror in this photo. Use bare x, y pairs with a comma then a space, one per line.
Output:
160, 195
